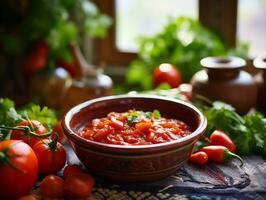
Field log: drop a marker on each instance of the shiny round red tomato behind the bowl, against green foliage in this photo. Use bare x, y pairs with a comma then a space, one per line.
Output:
167, 73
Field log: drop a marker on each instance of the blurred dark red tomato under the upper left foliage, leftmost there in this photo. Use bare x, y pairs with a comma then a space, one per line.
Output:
36, 59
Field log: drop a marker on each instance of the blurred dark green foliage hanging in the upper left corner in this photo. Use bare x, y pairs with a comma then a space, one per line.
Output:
58, 22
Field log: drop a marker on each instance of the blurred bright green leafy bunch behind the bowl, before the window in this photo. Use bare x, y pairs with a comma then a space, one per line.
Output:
182, 42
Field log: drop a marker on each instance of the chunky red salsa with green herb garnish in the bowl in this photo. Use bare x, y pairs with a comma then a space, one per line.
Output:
134, 127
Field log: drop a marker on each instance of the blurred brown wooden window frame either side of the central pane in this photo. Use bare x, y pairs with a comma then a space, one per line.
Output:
218, 15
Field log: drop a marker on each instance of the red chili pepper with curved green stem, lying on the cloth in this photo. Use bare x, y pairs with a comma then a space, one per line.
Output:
219, 154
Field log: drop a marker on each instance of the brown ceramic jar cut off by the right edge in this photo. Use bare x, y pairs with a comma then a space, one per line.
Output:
260, 79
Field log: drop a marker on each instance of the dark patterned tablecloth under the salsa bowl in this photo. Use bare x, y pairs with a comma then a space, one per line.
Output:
228, 181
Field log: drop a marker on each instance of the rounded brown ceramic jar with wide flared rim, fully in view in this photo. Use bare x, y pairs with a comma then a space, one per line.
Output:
224, 79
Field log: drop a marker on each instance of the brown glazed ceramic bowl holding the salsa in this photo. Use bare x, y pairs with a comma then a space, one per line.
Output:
133, 163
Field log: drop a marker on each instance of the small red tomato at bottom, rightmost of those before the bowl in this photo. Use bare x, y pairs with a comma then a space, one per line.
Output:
78, 185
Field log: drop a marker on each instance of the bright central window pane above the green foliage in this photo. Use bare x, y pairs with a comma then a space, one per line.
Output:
136, 18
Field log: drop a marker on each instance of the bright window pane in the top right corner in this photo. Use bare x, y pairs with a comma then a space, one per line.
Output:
252, 25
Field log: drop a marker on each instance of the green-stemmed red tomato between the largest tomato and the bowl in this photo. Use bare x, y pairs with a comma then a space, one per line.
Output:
51, 157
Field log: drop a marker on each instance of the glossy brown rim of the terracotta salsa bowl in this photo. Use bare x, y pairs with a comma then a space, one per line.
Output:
70, 134
